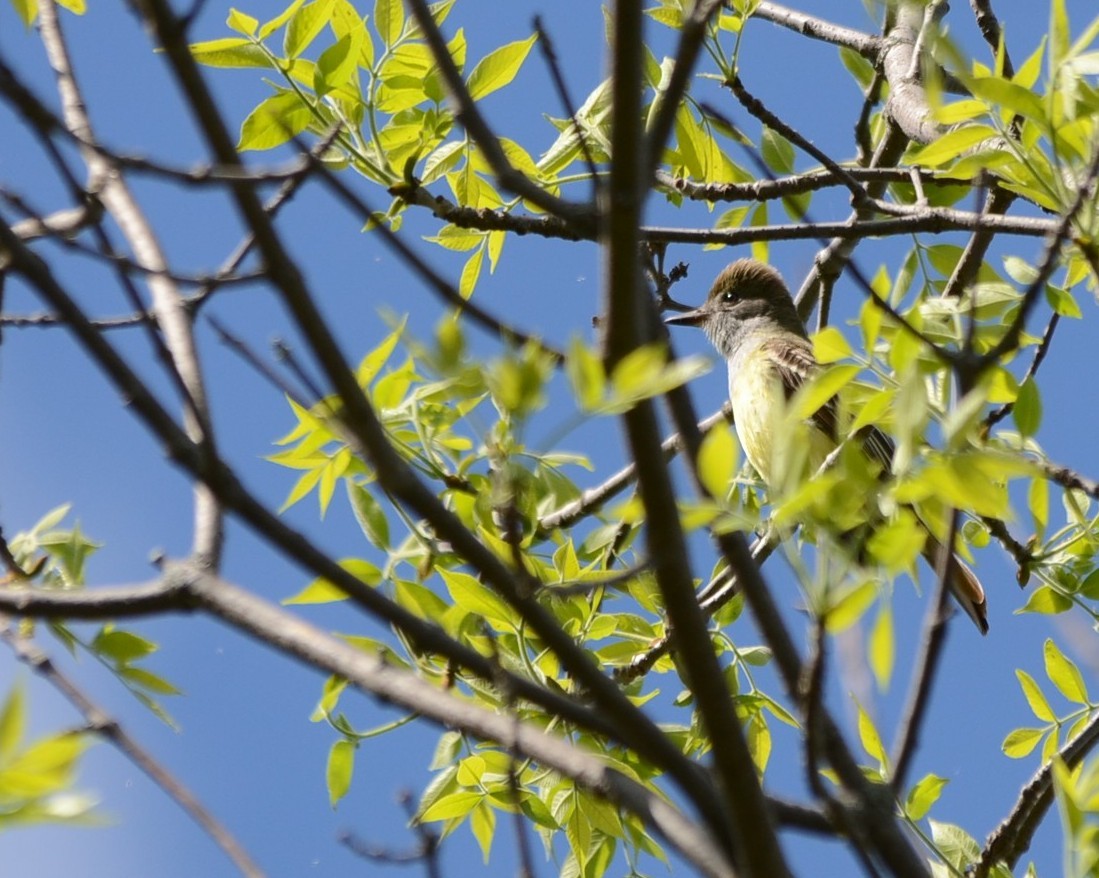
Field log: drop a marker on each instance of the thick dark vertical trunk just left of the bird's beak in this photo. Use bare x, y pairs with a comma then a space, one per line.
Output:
742, 825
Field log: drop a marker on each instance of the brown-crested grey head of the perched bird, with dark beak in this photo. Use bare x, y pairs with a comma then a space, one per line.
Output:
747, 295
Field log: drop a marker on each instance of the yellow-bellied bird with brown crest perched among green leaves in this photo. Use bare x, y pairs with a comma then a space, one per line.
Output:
750, 318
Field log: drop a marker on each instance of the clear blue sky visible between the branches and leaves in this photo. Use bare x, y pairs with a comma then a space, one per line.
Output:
246, 744
